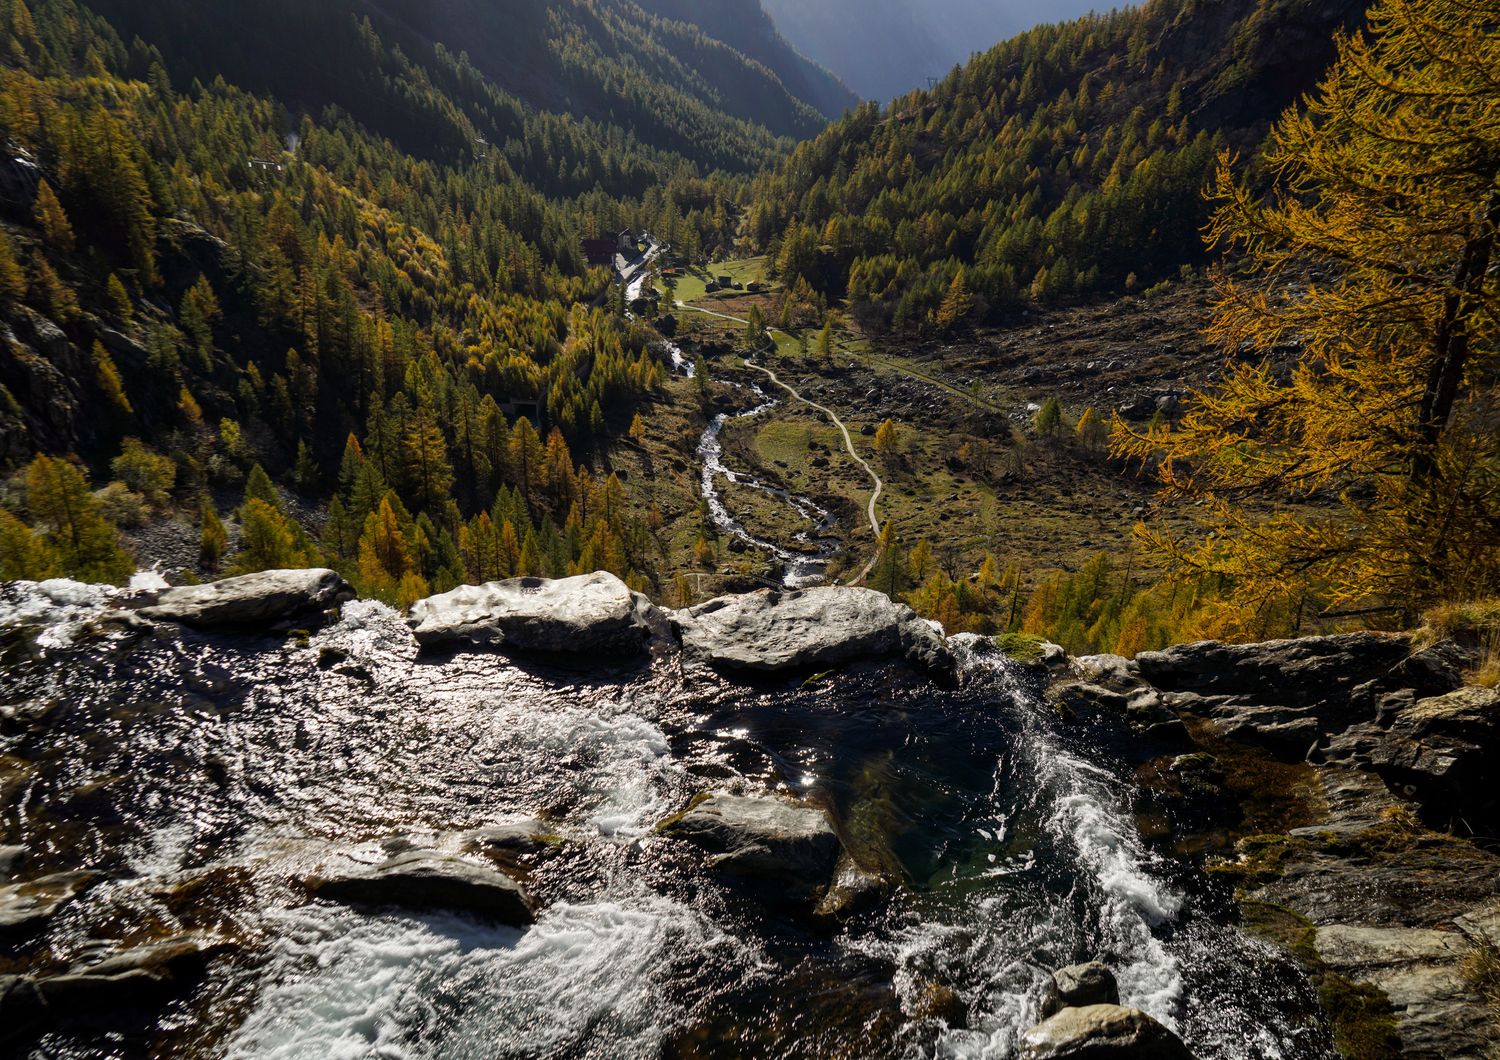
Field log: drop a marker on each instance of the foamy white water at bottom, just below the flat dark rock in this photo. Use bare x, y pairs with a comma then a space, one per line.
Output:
590, 980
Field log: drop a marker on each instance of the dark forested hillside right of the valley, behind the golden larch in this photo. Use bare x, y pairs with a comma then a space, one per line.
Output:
1067, 161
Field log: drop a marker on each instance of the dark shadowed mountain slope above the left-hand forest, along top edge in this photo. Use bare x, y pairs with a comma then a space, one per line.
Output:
665, 85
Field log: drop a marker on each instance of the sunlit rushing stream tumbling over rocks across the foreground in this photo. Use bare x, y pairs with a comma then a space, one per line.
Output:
203, 777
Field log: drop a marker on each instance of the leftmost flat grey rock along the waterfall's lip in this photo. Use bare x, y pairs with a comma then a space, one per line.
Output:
253, 600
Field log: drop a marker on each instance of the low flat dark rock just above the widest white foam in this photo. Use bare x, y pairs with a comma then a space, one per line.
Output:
427, 881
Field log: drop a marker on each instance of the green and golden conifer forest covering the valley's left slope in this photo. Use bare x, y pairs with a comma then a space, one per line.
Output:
205, 290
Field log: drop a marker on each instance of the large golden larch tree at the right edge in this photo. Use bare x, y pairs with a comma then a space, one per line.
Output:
1367, 473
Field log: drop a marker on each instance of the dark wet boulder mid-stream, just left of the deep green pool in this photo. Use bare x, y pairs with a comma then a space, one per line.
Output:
763, 840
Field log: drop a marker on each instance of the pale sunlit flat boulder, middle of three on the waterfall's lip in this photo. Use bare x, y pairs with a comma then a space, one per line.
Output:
587, 615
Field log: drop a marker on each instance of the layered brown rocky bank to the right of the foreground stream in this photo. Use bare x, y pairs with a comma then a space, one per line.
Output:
1345, 789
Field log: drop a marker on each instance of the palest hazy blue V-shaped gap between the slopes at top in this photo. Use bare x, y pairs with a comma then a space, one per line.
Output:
884, 49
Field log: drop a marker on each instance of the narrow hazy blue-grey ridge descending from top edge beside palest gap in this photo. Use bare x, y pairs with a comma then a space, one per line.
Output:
745, 26
